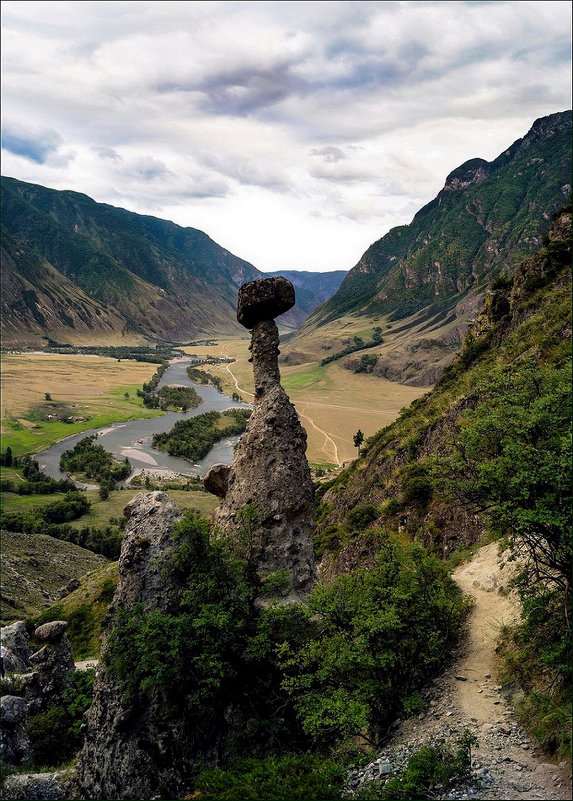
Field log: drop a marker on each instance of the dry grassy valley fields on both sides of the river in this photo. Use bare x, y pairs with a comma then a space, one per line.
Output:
333, 403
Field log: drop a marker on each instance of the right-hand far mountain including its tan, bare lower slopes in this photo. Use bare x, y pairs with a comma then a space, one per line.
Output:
422, 283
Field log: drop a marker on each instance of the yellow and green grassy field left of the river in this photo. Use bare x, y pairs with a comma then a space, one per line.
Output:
89, 387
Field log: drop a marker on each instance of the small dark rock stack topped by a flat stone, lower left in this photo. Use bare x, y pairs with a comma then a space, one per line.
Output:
51, 664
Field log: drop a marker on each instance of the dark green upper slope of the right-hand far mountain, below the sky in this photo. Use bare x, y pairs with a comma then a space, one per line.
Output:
490, 219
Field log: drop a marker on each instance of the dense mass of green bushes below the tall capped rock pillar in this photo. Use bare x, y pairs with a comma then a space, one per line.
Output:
282, 678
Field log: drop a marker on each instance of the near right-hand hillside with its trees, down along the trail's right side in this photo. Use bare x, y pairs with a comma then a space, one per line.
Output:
489, 449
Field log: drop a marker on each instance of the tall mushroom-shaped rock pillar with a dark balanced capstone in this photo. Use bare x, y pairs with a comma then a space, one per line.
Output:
270, 471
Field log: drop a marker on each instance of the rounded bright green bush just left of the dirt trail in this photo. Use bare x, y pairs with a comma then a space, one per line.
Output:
370, 638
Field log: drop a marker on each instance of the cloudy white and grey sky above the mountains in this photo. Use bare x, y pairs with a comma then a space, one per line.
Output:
294, 133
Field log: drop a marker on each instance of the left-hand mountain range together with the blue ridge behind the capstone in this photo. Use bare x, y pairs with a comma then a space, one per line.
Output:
75, 269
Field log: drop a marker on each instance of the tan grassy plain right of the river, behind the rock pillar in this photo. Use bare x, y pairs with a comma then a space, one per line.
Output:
333, 403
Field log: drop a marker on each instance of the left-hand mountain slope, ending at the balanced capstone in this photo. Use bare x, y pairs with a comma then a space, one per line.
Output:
163, 280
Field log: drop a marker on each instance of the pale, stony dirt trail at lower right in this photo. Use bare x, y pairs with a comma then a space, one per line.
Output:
506, 765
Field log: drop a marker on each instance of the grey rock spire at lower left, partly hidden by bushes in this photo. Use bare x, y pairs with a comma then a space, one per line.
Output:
131, 749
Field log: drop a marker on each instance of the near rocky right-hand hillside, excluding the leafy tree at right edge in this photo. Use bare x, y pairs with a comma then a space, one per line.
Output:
521, 337
